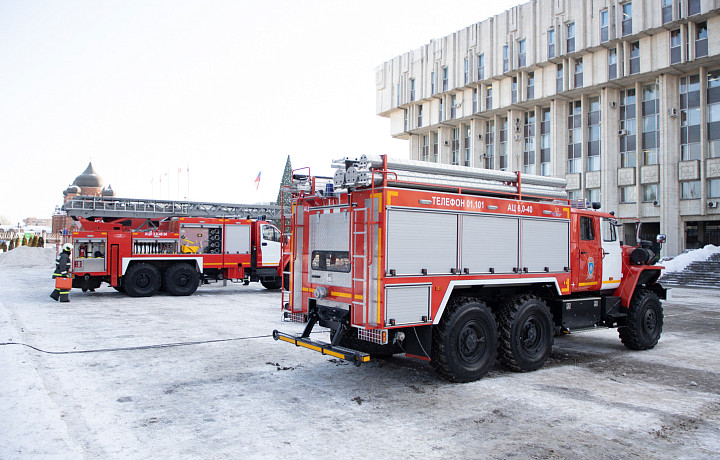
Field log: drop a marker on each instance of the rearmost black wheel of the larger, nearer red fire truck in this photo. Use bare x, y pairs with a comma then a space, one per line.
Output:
464, 344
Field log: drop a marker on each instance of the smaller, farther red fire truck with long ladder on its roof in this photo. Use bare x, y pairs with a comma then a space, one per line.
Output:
142, 246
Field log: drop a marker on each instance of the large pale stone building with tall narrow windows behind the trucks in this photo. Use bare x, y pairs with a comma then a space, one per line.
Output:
620, 98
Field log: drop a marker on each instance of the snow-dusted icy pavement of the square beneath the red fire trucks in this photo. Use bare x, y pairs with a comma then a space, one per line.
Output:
109, 376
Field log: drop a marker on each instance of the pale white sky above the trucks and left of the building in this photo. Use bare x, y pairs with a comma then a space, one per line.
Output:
224, 88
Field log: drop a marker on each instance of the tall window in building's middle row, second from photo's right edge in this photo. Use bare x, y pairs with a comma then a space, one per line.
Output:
690, 118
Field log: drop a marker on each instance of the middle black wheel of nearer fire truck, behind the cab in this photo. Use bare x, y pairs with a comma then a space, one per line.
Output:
526, 333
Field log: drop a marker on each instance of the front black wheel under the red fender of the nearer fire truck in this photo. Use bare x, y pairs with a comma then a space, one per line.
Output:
643, 324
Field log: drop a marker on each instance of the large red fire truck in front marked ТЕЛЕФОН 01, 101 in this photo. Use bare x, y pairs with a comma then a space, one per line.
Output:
458, 266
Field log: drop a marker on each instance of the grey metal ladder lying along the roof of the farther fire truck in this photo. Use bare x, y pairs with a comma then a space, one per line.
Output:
89, 206
